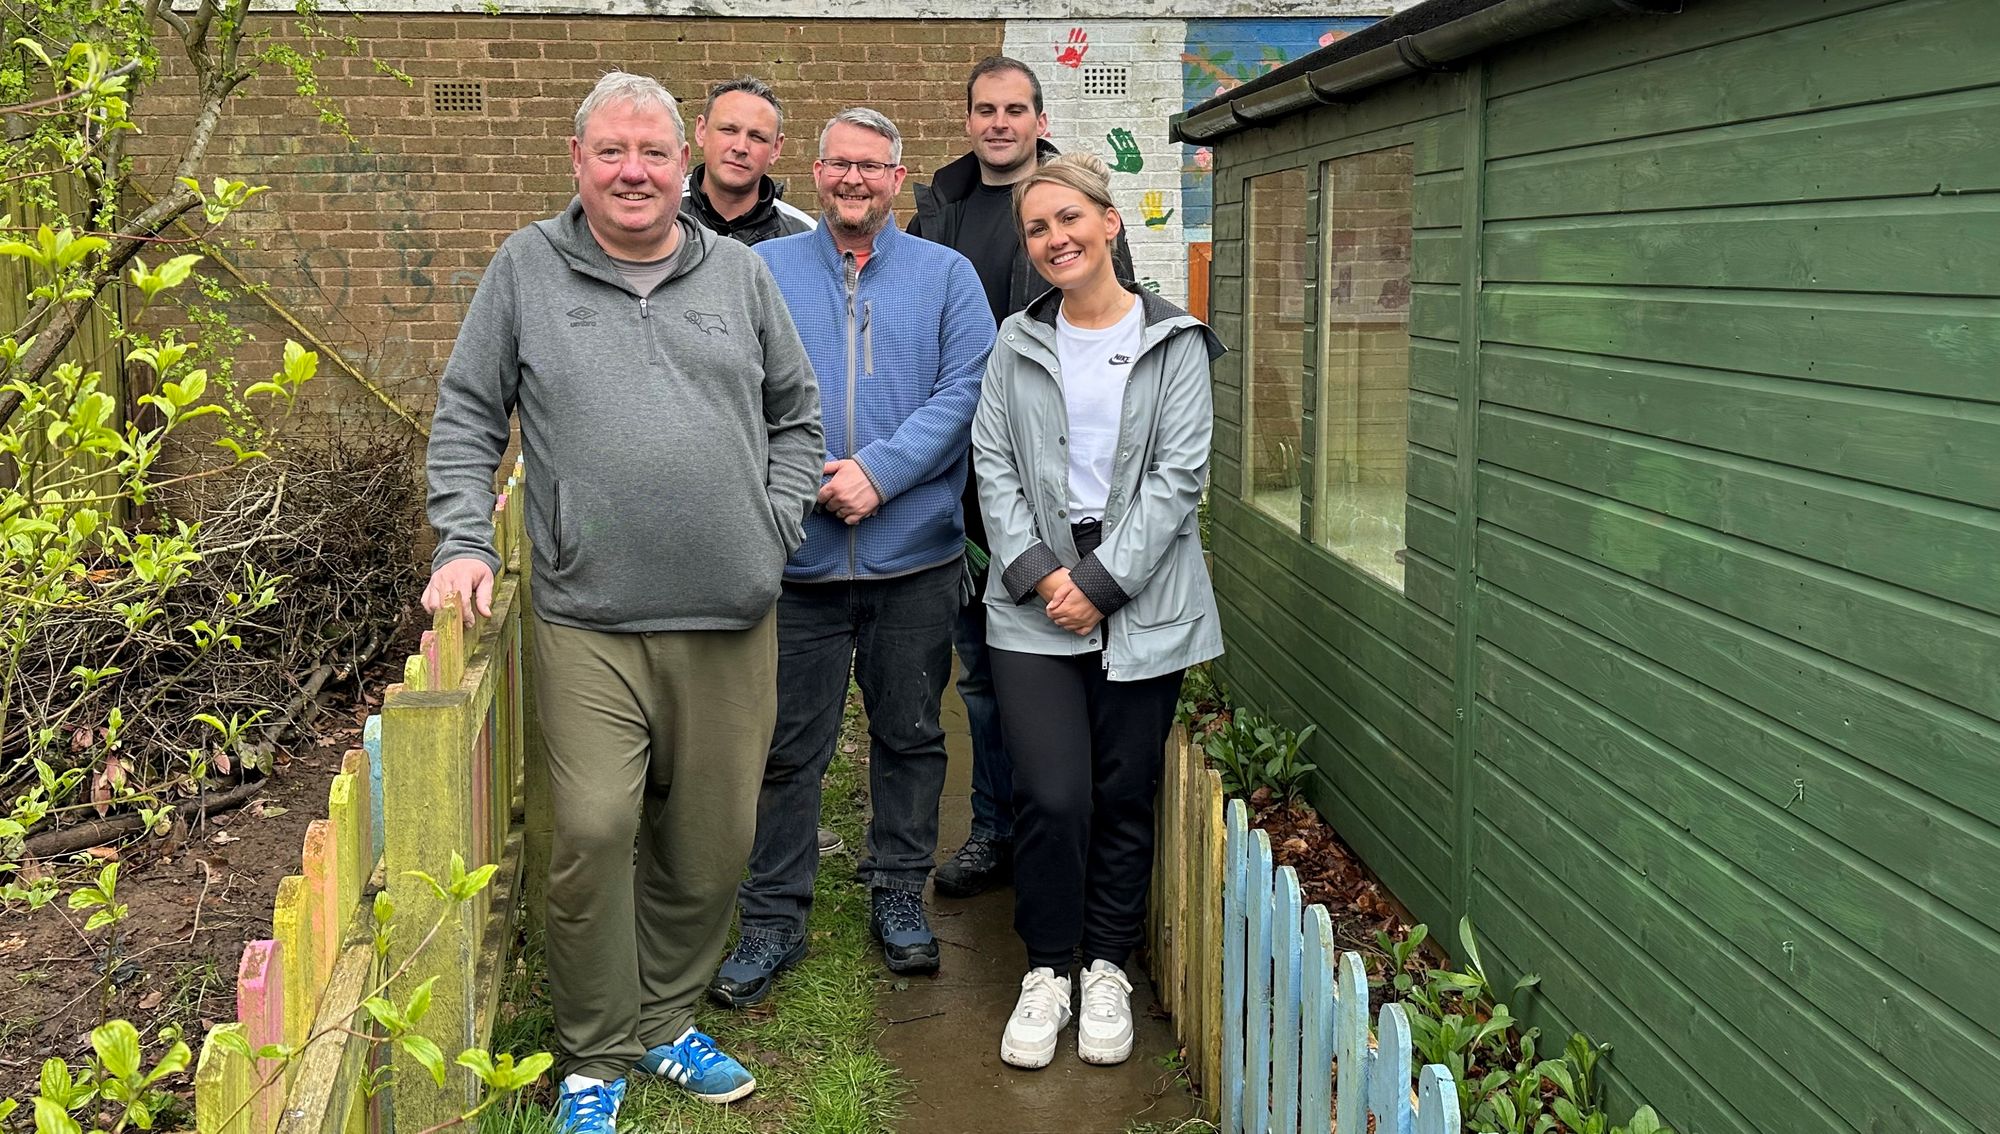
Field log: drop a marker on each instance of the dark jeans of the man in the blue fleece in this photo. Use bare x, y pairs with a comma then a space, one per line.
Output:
897, 635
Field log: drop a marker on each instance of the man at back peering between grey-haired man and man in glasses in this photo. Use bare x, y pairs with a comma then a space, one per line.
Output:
731, 193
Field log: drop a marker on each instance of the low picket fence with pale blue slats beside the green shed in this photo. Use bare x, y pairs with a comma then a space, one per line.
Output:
1273, 1019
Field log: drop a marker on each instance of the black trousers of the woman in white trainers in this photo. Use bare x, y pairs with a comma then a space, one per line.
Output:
1087, 765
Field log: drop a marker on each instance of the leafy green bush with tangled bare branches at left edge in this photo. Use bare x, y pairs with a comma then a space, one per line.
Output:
129, 617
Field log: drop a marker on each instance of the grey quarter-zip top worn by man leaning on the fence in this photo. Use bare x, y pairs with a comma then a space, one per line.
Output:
673, 441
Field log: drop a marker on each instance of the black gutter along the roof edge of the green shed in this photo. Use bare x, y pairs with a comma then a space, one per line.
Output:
1431, 37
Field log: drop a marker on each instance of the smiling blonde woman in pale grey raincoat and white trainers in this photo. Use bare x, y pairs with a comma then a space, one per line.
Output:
1091, 447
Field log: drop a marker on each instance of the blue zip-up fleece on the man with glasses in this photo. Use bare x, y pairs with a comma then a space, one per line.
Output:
899, 351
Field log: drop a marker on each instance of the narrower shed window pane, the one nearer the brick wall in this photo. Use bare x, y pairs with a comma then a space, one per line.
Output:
1277, 343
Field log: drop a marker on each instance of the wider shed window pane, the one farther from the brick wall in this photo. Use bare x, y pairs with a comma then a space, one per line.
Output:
1365, 361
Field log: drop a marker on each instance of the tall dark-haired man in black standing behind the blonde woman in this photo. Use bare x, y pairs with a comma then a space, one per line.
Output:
969, 207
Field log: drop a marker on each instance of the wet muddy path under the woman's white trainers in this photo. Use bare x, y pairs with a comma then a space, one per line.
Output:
945, 1033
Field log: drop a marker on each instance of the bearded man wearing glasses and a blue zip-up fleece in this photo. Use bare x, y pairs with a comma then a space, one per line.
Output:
899, 335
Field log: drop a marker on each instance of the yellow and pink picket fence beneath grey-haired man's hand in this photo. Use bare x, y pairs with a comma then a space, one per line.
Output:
441, 773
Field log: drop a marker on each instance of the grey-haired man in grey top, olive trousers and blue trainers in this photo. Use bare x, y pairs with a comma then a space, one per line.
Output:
671, 429
